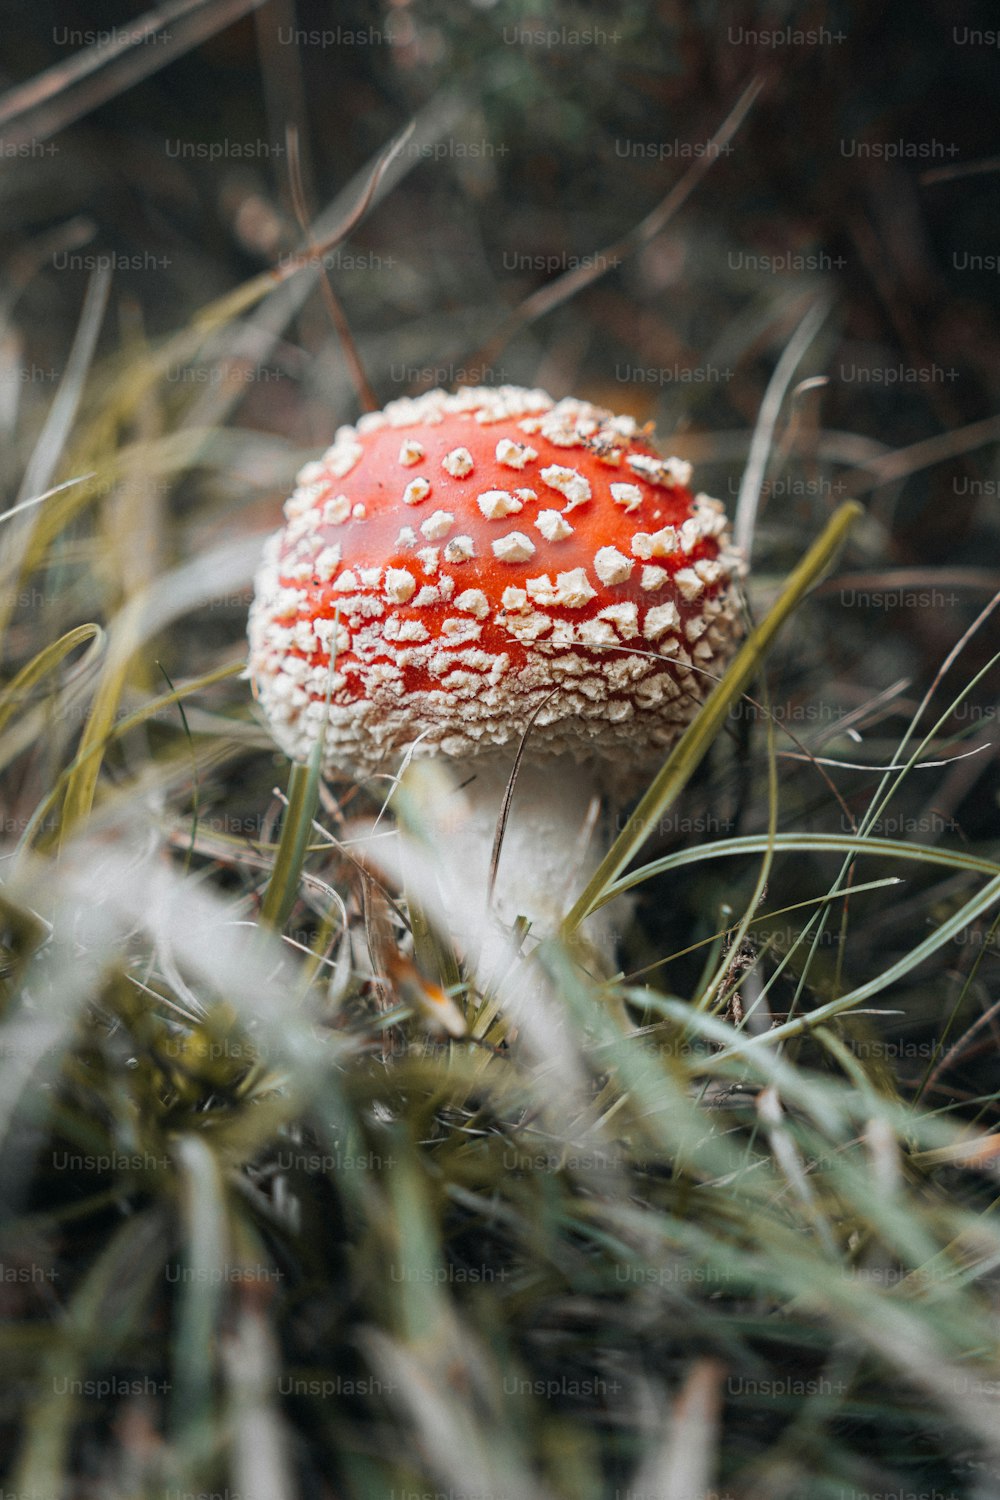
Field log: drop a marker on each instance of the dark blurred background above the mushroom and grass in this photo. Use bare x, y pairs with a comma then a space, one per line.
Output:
560, 175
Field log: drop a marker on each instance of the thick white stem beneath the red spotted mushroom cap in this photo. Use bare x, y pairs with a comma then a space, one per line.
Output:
552, 845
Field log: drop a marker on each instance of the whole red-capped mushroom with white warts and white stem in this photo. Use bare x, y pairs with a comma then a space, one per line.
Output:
473, 560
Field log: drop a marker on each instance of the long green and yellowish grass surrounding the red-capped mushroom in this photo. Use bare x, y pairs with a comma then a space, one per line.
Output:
298, 1204
